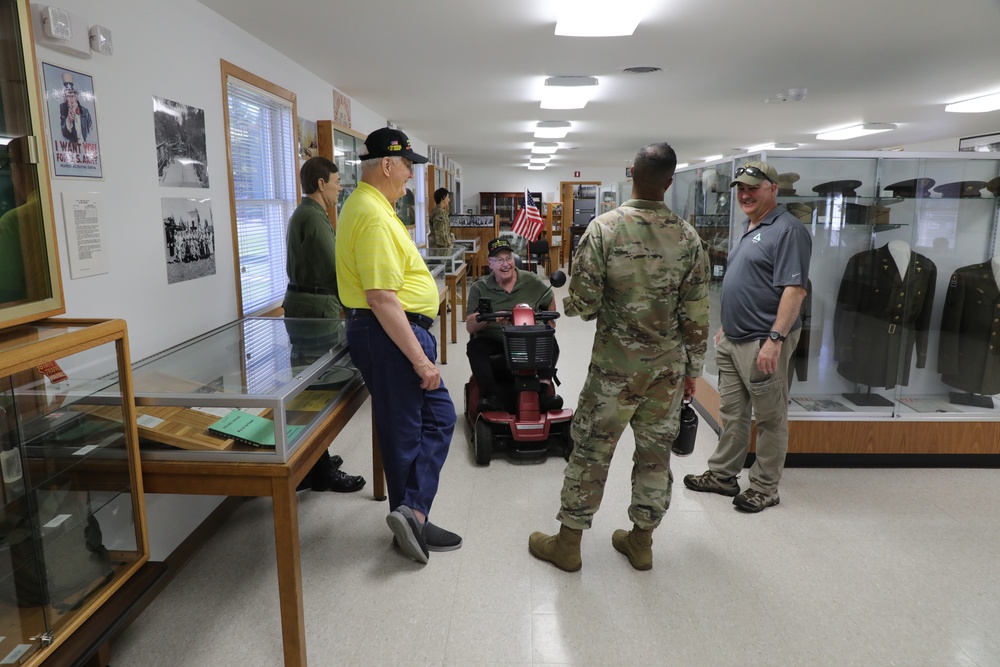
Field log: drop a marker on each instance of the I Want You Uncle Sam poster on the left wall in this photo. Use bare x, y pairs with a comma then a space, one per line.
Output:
71, 111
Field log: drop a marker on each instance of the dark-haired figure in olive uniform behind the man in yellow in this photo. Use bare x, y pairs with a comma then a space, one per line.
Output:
312, 287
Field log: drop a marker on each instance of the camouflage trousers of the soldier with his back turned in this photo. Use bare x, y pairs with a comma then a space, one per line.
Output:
650, 402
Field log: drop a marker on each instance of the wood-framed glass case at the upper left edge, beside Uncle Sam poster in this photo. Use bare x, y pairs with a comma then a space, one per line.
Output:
30, 284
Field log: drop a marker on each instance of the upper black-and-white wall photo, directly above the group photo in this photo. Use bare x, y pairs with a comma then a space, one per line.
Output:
181, 155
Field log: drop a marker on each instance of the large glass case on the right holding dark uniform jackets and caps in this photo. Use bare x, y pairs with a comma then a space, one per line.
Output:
903, 313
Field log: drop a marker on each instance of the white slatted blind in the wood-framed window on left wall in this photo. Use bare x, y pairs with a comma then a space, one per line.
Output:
262, 144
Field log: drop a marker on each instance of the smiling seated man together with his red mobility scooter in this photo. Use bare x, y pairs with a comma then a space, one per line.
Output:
501, 388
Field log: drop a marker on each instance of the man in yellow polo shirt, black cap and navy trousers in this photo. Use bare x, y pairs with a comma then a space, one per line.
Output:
391, 300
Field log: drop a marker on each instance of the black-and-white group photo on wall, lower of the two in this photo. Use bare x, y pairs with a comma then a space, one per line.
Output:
189, 238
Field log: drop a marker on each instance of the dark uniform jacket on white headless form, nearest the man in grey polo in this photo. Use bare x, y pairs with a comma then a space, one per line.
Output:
881, 317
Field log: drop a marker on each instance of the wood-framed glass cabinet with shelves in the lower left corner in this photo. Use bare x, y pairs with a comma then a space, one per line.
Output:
72, 528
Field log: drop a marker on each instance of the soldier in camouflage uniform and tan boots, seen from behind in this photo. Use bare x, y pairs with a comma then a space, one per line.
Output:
642, 272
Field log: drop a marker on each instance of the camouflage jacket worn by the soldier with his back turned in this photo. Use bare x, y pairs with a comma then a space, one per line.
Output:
643, 273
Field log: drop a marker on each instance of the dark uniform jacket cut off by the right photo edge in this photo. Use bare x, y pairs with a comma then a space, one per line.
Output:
969, 352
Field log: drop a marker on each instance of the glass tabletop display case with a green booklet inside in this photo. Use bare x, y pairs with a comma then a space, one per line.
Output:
252, 390
